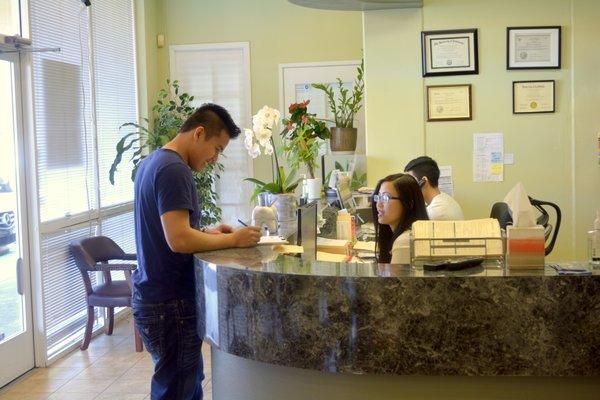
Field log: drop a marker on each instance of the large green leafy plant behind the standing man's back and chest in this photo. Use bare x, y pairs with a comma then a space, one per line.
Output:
172, 108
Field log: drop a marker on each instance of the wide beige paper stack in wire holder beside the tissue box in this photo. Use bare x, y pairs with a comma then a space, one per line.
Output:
476, 237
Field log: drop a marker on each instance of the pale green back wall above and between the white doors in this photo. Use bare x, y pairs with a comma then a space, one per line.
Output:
278, 32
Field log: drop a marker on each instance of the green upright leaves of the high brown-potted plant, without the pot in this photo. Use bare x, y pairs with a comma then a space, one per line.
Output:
347, 104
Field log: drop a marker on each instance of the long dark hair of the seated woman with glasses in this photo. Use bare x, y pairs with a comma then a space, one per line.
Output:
414, 209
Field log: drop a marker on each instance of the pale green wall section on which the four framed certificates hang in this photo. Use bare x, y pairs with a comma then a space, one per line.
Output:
554, 153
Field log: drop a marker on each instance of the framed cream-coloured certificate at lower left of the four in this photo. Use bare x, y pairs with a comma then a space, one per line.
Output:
448, 102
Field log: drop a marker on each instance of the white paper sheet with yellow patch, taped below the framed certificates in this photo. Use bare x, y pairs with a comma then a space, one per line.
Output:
488, 157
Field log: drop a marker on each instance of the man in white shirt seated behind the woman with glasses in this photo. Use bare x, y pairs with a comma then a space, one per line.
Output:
440, 206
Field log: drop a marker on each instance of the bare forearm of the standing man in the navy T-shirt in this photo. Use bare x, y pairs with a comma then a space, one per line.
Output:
182, 238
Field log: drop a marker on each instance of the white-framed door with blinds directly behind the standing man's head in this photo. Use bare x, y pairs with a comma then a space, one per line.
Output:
220, 73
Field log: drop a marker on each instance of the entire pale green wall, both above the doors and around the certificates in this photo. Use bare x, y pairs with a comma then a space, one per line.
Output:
554, 153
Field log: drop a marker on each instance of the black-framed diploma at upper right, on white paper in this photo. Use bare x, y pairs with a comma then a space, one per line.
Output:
533, 47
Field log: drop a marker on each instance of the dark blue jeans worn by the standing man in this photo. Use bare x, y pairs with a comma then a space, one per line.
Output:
169, 333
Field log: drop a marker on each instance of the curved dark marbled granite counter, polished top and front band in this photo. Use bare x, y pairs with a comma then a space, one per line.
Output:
394, 319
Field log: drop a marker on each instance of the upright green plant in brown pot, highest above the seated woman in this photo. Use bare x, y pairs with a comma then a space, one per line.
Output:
344, 108
